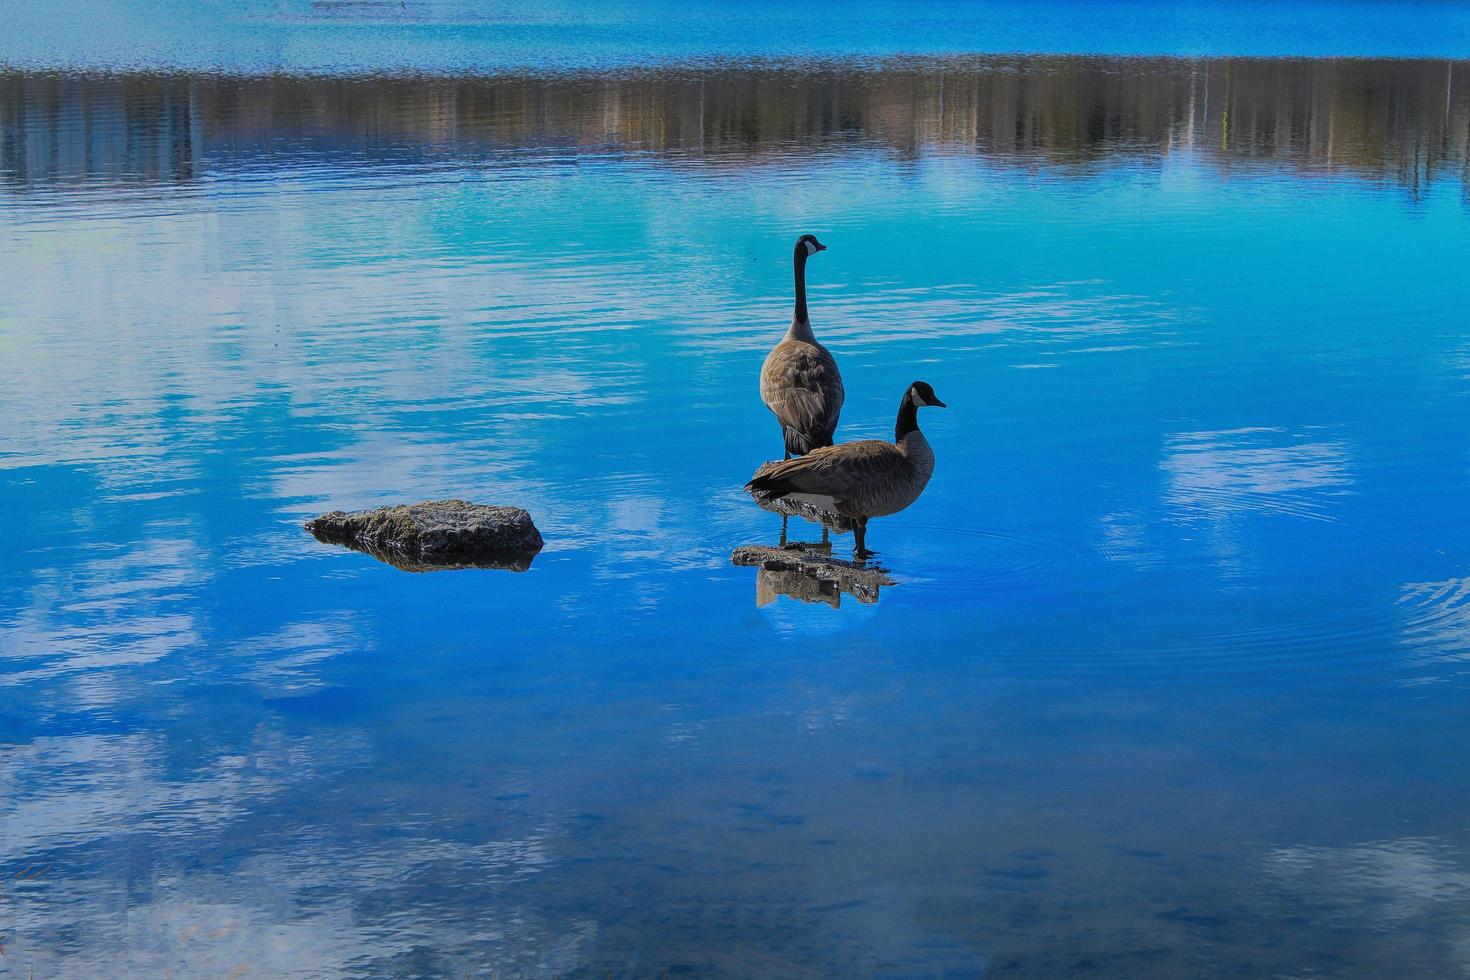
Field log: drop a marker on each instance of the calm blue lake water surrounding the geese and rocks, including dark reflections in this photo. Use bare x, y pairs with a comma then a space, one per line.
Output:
1174, 681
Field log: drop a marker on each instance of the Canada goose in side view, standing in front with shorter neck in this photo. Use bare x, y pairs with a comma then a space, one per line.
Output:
861, 480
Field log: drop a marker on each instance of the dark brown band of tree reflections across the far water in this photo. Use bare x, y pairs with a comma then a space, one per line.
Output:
1399, 121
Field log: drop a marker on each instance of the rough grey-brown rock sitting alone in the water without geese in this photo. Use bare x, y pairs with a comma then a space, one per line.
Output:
436, 534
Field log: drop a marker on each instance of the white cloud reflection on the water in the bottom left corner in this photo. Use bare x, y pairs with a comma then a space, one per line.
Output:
309, 904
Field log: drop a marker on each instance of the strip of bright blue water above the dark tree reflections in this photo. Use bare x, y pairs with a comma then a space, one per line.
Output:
461, 36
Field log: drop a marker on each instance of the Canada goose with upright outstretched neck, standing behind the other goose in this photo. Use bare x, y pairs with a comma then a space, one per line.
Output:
799, 381
